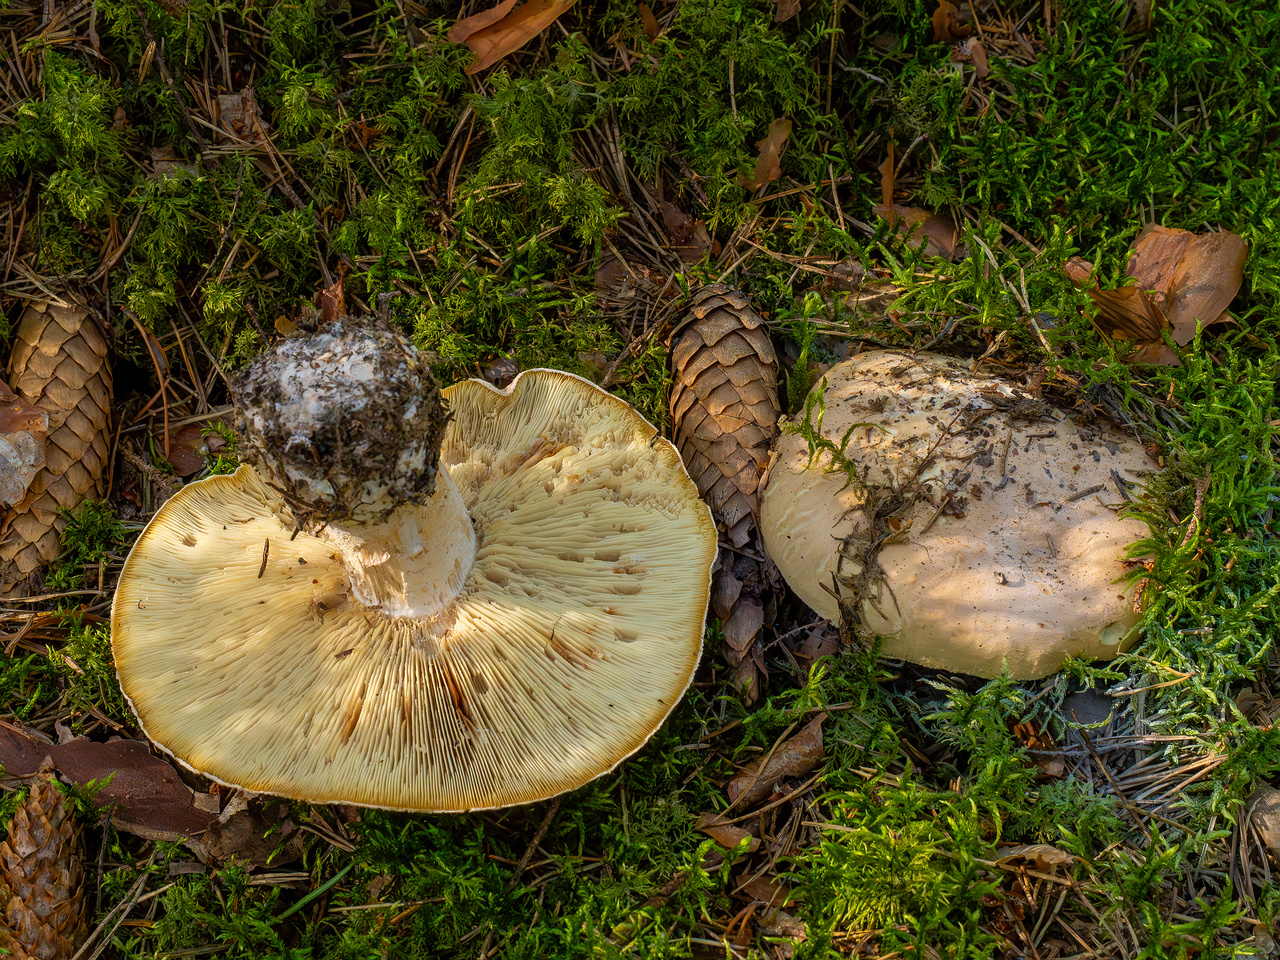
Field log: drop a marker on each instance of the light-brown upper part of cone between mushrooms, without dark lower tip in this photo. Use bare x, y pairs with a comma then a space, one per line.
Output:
725, 404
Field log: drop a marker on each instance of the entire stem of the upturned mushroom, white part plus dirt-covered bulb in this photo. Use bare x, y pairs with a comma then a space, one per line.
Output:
348, 426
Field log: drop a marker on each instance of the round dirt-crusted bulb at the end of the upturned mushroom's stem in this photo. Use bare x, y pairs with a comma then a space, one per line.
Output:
346, 423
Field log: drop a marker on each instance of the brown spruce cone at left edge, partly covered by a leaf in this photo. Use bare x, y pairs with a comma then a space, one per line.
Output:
60, 364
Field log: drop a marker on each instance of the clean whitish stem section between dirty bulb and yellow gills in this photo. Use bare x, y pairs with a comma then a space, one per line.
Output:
415, 564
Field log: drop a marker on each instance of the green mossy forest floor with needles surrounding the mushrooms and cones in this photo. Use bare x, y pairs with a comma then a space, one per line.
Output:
196, 172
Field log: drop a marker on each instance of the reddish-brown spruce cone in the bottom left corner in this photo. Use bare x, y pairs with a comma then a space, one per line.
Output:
42, 880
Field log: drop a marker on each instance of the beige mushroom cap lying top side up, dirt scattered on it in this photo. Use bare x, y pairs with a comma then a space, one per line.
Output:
964, 523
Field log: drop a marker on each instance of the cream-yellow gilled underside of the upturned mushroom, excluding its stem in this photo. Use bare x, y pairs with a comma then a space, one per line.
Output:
575, 634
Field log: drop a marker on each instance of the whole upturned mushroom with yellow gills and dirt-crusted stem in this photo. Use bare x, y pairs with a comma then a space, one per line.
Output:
349, 624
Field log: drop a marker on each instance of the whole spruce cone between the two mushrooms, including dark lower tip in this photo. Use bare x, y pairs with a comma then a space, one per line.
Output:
725, 414
